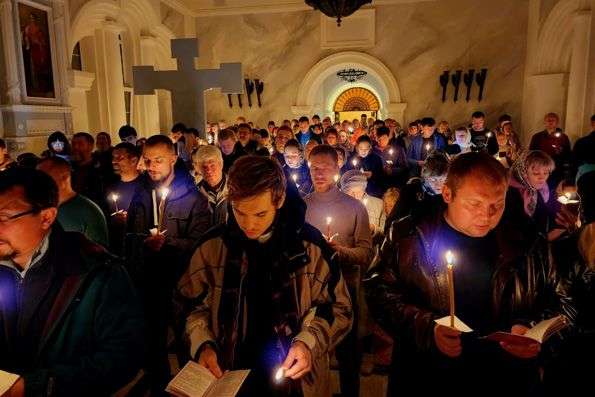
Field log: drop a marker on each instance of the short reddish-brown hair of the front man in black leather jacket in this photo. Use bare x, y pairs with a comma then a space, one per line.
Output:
478, 164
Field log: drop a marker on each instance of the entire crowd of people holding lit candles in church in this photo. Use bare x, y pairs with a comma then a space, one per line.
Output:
300, 248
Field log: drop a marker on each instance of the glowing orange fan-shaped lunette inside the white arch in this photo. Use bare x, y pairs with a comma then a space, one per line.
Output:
354, 102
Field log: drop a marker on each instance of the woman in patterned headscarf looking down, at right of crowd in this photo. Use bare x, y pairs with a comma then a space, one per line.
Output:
529, 201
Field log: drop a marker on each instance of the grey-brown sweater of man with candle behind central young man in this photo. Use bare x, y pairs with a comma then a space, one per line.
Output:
349, 219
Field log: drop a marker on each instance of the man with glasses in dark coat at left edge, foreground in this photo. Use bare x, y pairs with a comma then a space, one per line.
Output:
69, 316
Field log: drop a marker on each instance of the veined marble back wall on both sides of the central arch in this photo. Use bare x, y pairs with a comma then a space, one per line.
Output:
415, 41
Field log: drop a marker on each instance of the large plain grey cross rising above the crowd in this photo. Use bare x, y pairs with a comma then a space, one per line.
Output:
187, 84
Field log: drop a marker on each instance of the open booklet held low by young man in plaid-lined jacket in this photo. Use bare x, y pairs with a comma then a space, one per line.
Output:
194, 380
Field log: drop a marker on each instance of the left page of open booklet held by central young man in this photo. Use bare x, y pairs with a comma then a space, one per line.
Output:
193, 380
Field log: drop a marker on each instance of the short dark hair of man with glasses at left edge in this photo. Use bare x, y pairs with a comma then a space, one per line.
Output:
40, 191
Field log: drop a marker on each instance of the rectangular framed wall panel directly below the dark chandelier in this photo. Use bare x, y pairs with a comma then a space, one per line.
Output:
356, 31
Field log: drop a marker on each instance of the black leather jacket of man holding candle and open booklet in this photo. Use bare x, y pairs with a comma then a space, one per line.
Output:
408, 291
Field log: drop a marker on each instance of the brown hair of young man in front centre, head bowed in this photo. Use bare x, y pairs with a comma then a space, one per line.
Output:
251, 176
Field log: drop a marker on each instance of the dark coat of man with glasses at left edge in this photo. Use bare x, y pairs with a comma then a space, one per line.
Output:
91, 342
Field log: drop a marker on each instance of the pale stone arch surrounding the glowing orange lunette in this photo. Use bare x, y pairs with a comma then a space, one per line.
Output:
380, 81
